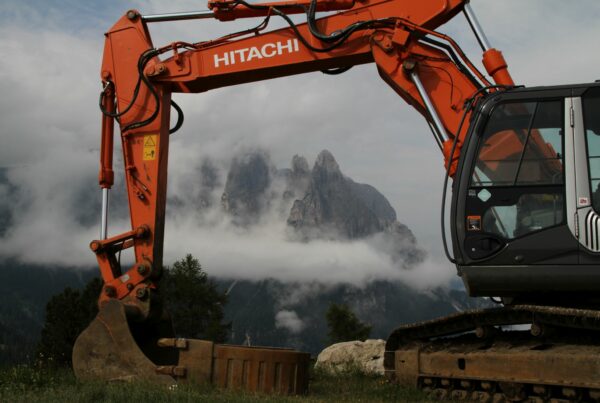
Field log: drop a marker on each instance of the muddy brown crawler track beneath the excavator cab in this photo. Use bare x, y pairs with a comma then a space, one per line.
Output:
482, 356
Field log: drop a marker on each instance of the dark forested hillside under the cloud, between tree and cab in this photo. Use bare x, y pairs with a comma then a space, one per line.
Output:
272, 313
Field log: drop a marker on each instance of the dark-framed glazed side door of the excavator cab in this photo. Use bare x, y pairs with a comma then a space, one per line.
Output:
514, 185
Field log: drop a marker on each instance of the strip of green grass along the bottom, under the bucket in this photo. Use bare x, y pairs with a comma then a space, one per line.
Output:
24, 384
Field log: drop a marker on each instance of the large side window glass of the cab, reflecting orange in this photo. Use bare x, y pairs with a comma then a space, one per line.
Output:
517, 180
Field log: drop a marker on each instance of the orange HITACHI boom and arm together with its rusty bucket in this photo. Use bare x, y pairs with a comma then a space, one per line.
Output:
426, 68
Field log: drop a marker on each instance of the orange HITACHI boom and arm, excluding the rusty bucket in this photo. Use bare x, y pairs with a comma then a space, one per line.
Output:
427, 69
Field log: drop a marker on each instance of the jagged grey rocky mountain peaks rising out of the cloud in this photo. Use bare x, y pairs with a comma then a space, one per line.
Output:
318, 203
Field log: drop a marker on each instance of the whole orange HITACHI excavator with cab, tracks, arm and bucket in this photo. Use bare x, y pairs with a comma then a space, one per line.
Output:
524, 215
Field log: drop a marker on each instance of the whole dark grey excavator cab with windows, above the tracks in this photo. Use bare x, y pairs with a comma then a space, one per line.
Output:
525, 204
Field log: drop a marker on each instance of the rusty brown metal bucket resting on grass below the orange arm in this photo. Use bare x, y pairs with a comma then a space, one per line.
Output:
115, 348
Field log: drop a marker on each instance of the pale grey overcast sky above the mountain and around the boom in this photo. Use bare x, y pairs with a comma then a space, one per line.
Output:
50, 124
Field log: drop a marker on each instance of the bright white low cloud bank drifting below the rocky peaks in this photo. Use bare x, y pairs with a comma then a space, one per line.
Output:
270, 249
